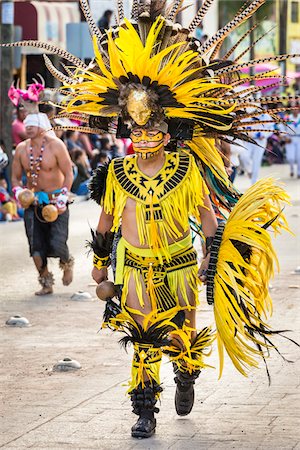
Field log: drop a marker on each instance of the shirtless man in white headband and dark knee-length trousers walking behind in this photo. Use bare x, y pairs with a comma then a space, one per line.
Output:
47, 166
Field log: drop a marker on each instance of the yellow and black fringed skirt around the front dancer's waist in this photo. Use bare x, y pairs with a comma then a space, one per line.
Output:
166, 285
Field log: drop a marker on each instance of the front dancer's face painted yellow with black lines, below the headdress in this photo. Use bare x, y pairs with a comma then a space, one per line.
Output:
147, 143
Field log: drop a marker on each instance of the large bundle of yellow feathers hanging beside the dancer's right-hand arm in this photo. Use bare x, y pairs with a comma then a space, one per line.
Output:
242, 302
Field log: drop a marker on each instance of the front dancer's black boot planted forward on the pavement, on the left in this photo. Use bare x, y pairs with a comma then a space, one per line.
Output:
143, 402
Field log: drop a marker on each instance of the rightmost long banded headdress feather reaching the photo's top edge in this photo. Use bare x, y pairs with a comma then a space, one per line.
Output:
236, 22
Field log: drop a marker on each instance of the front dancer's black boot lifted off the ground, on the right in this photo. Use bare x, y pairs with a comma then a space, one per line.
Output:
184, 396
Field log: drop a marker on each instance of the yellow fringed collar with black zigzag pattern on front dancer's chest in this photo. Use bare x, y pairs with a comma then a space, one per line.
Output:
163, 203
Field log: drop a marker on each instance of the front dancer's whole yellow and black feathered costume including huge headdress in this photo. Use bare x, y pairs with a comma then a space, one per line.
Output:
152, 81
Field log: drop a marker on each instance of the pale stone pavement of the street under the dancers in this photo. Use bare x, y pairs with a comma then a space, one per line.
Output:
88, 408
